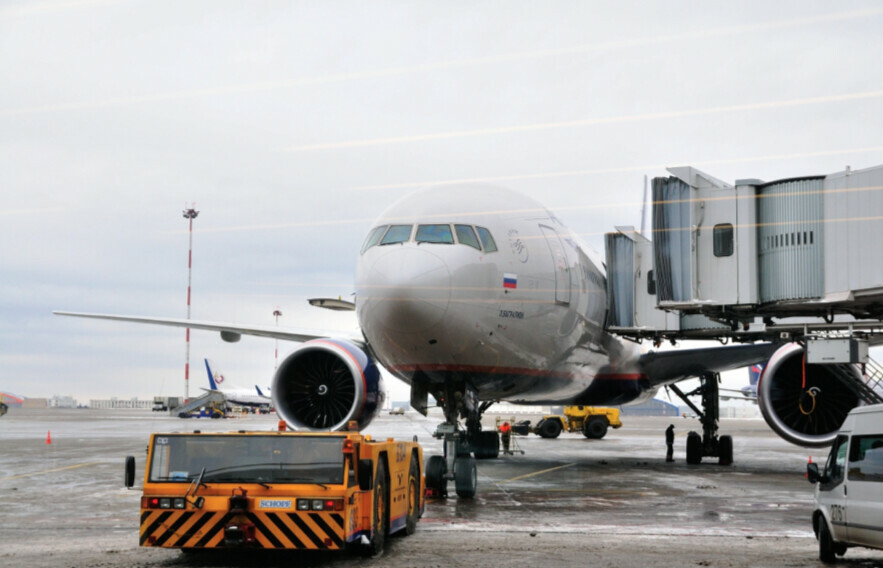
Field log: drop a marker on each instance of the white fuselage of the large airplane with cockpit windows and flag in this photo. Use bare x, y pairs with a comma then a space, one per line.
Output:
501, 294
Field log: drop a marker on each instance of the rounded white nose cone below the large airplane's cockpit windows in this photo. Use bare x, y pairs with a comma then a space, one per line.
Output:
407, 290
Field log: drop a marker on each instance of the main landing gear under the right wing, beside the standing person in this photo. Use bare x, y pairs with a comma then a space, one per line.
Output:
709, 444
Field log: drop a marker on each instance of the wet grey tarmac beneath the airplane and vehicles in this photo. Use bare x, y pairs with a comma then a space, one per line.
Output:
565, 502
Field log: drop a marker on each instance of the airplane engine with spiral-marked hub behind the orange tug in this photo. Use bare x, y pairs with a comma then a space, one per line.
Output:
324, 384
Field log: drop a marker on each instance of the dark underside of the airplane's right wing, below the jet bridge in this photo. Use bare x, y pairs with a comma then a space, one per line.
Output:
667, 367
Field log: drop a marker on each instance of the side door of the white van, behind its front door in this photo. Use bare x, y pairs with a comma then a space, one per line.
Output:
865, 496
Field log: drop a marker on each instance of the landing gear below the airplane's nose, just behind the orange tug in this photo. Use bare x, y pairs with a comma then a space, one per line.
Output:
457, 464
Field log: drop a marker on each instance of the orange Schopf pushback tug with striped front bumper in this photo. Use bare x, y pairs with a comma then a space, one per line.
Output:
278, 490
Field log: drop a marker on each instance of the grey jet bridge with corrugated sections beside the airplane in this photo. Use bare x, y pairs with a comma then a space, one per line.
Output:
753, 260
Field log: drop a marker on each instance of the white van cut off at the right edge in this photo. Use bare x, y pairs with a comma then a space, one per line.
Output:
849, 492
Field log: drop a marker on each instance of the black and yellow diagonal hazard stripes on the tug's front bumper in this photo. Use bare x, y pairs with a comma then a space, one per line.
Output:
282, 530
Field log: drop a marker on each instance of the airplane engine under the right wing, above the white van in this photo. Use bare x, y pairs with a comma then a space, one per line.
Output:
803, 403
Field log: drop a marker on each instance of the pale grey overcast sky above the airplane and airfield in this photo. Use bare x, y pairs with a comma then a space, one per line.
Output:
292, 125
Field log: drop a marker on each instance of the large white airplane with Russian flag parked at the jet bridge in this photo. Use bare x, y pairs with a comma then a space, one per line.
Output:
475, 294
